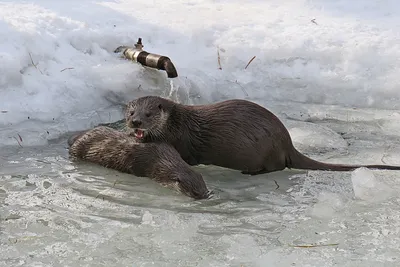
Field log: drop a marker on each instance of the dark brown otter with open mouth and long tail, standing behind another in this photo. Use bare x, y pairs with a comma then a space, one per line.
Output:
236, 134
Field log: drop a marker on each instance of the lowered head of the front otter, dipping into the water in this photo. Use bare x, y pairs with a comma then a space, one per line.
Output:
193, 186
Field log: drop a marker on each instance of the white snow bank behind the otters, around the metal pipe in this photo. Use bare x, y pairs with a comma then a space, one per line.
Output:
348, 56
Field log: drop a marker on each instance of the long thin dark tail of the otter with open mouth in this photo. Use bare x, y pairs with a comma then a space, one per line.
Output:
299, 161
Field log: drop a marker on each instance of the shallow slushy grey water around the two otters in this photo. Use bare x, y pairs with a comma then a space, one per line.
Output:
58, 213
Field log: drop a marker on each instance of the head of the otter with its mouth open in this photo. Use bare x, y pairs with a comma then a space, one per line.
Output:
147, 116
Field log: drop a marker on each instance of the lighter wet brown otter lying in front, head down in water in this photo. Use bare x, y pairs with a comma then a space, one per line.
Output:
160, 162
